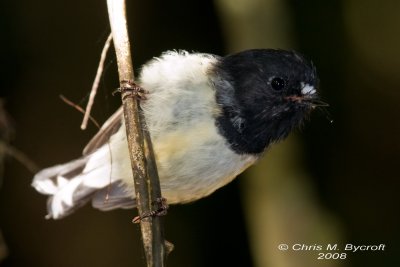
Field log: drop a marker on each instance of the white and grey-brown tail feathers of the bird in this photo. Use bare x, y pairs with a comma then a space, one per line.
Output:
73, 184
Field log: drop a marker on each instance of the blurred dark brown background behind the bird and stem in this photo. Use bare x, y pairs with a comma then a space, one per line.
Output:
329, 183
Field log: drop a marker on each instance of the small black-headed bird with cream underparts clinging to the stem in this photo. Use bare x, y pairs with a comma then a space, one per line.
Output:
209, 118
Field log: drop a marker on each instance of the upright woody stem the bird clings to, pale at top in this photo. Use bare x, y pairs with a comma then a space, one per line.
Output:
147, 188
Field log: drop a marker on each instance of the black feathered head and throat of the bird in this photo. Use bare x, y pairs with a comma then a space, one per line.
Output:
255, 112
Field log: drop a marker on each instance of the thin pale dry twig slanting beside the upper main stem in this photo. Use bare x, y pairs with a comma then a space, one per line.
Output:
96, 82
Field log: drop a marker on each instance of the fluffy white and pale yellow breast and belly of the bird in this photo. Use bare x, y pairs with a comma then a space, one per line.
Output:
193, 159
